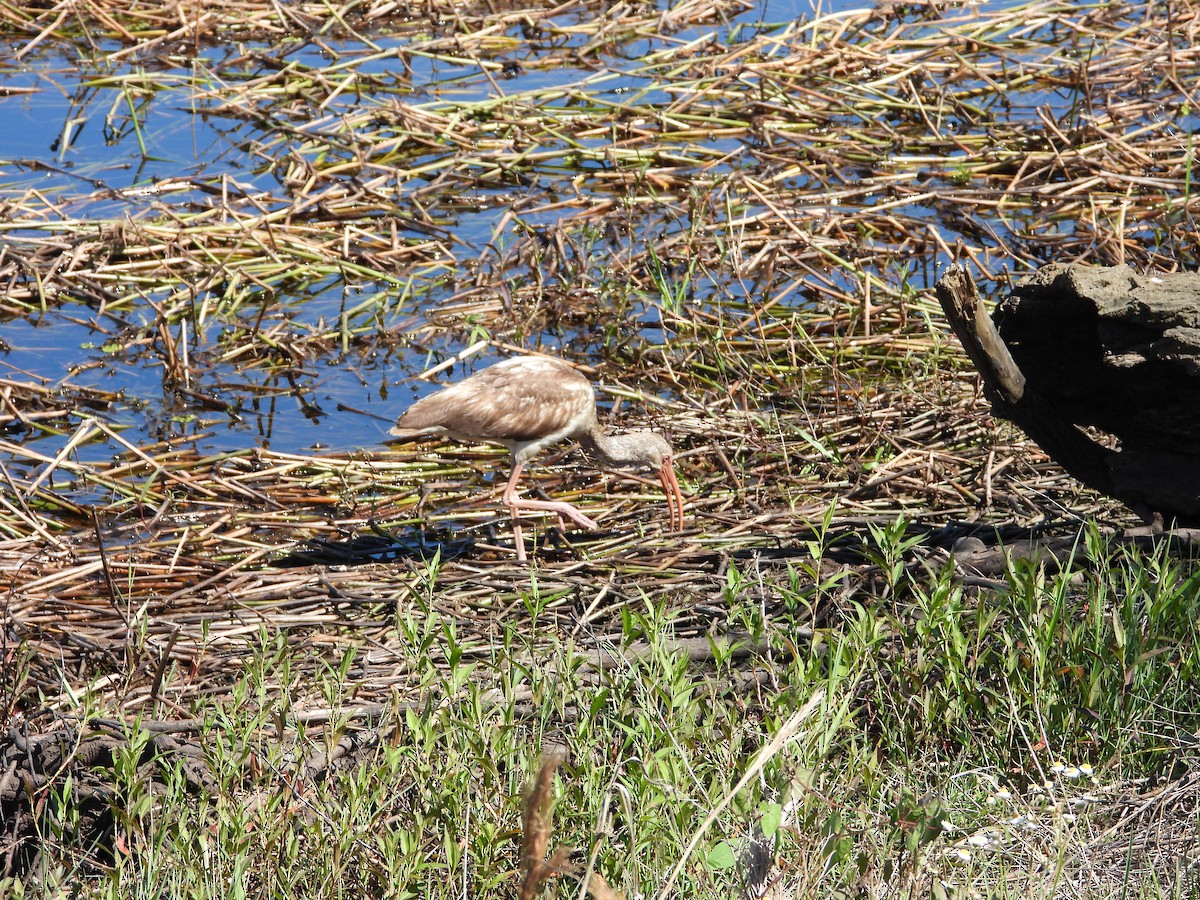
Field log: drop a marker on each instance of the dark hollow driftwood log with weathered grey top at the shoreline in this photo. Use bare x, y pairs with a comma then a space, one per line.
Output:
1101, 368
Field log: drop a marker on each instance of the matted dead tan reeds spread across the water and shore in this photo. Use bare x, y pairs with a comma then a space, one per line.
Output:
735, 225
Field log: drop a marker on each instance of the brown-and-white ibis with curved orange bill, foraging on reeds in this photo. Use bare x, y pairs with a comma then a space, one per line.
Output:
529, 404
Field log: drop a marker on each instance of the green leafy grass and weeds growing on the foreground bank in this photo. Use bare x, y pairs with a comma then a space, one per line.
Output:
887, 728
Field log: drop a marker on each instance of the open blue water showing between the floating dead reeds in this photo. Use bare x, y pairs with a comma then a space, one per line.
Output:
101, 142
